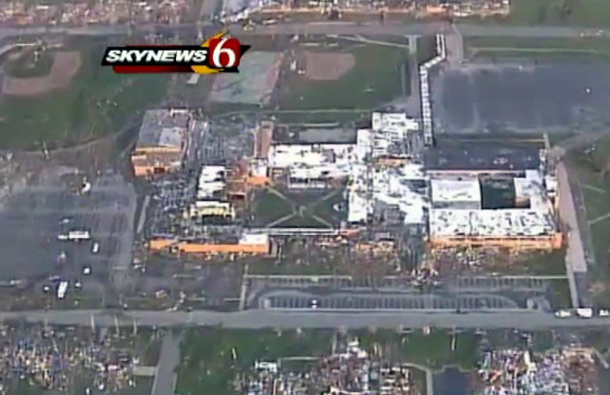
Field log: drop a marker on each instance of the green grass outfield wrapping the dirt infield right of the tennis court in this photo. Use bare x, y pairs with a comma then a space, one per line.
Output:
375, 79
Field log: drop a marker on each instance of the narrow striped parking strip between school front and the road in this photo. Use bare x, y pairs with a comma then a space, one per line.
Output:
290, 300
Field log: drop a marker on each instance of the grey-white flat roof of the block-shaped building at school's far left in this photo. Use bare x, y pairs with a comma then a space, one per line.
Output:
163, 128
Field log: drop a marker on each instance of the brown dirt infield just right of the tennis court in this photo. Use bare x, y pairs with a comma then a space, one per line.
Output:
325, 66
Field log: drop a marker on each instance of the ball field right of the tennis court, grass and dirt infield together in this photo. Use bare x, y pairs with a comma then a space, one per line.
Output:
348, 76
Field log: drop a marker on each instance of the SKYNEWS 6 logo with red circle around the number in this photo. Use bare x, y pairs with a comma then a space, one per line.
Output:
219, 54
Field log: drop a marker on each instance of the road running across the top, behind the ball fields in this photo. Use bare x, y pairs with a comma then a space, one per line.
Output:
344, 28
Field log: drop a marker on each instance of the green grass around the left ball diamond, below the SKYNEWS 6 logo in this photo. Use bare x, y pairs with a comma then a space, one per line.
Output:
96, 103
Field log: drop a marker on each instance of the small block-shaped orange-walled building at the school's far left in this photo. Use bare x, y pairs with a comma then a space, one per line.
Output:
162, 142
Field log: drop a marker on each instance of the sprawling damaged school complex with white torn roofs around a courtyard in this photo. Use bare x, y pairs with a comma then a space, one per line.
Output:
489, 196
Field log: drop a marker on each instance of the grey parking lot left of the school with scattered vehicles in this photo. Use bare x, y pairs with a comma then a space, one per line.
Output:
33, 219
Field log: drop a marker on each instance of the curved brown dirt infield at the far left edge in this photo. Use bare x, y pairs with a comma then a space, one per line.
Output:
65, 65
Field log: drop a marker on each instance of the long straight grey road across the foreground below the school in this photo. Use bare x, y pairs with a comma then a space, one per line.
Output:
259, 319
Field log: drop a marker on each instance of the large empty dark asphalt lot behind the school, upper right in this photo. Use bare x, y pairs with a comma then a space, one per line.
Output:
521, 97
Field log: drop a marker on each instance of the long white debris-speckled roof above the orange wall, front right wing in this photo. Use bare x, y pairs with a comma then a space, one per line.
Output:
490, 223
